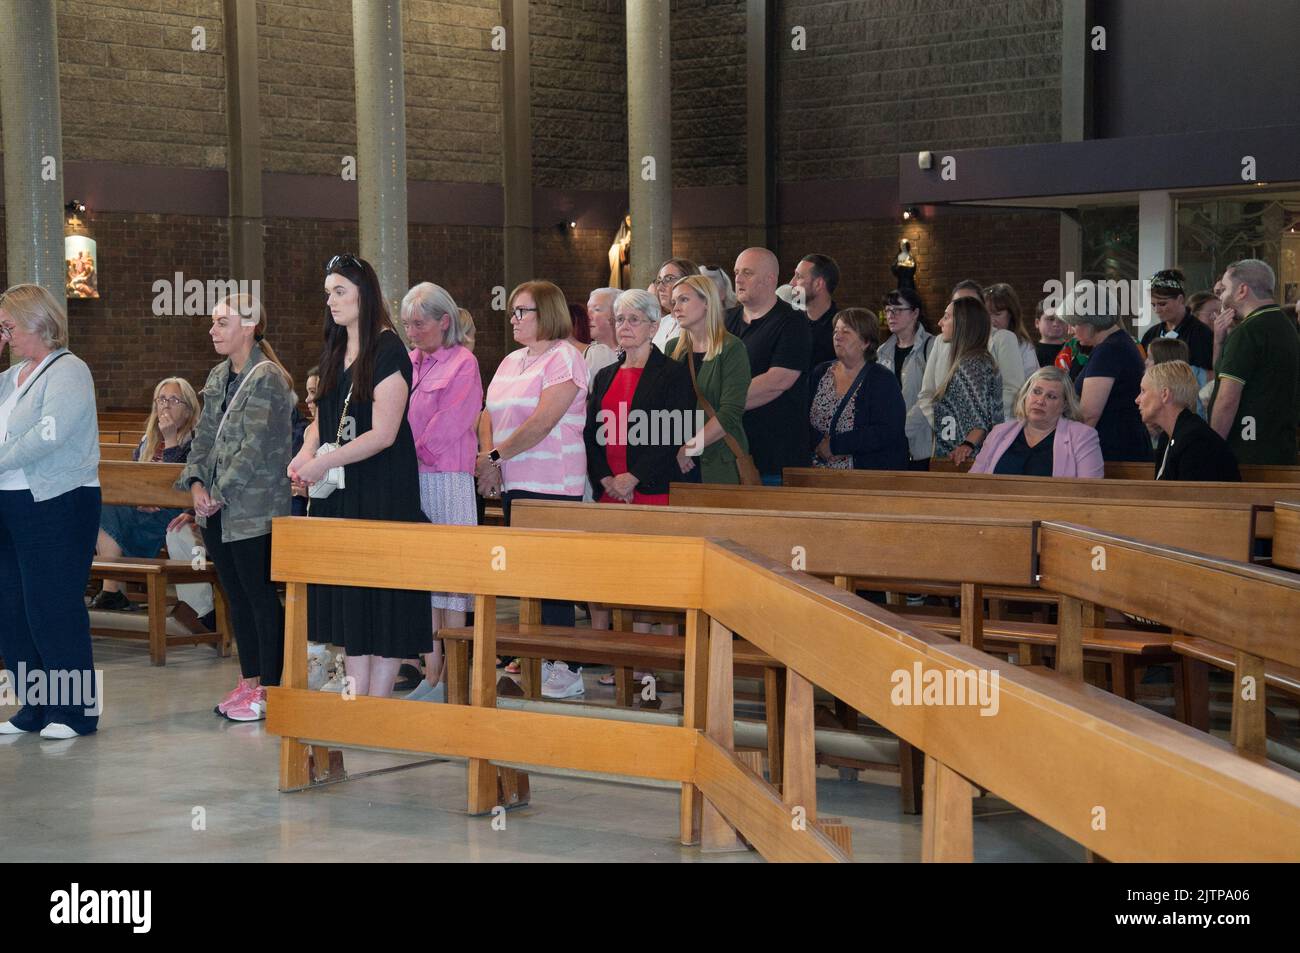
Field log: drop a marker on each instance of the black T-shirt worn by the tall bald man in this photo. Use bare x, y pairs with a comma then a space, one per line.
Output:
778, 431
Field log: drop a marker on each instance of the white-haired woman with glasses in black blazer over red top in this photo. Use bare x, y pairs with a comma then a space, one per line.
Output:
642, 384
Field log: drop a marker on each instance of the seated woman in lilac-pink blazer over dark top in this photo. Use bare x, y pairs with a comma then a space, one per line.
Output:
1047, 437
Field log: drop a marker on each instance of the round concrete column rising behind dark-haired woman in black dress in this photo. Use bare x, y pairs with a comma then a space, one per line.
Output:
382, 144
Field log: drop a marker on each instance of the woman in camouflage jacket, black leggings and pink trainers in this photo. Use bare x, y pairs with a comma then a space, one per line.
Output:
236, 475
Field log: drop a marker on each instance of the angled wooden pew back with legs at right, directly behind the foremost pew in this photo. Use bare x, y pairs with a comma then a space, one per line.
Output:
1247, 610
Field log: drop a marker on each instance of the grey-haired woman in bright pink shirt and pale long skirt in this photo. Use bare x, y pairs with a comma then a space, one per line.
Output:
447, 396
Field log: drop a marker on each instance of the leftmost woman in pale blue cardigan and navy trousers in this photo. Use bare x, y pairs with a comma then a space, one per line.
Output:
49, 518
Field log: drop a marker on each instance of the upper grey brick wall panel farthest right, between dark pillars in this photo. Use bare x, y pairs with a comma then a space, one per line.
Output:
882, 79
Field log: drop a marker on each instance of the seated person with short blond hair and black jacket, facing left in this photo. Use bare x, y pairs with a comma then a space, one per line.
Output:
1189, 448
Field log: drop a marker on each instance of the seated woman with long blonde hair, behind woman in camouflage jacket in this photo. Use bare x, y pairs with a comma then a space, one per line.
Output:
141, 531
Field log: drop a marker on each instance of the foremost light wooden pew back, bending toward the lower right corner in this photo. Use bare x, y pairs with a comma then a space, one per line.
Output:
1078, 760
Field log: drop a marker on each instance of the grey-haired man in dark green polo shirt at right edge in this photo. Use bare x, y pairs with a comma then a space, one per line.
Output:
1256, 401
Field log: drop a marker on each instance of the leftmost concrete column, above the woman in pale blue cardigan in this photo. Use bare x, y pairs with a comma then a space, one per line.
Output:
33, 146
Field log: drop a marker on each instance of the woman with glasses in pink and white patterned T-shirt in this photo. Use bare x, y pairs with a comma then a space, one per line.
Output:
531, 434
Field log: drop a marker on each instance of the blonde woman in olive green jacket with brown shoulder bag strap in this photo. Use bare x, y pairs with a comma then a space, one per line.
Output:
722, 376
